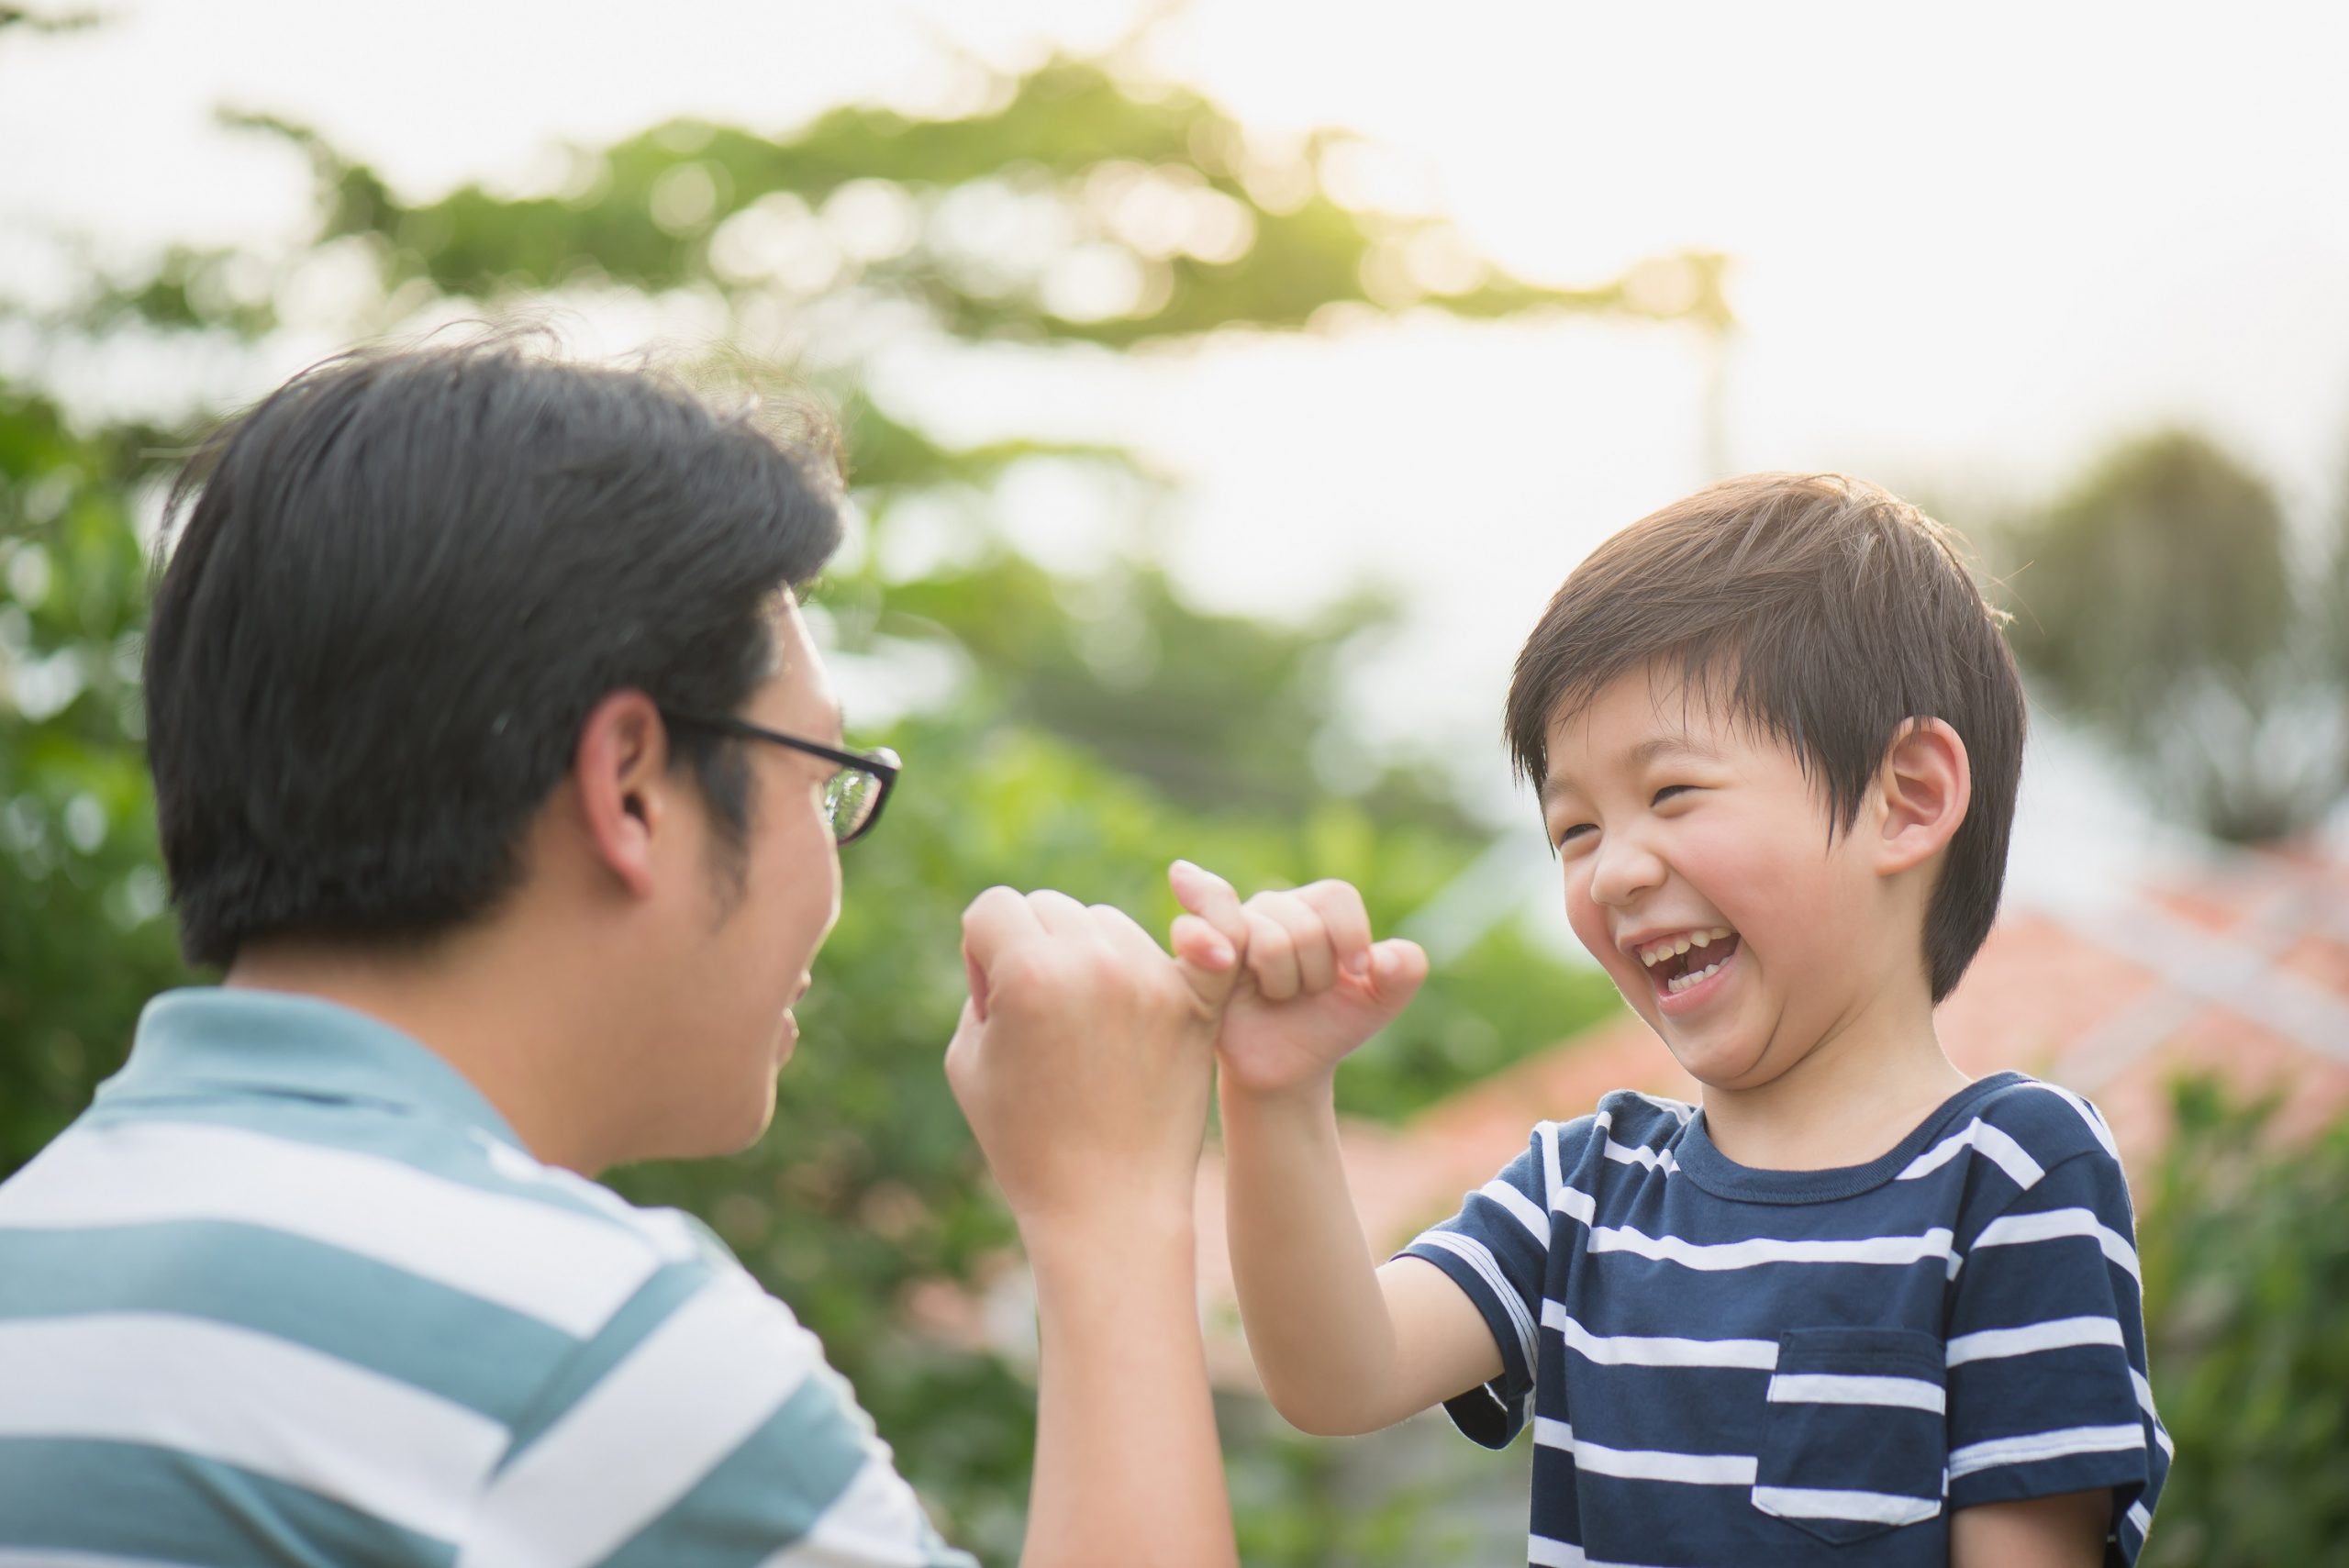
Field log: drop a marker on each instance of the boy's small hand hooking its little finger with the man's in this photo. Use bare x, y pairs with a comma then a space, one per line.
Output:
1314, 982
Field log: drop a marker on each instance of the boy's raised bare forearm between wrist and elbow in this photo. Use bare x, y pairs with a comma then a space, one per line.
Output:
1310, 1292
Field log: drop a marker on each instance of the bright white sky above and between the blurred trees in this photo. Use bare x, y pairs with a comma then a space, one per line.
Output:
1972, 243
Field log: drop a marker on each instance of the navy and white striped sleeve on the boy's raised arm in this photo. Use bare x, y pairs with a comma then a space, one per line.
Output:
1497, 1250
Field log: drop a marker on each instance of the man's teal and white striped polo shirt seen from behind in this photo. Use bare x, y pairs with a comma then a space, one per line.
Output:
292, 1292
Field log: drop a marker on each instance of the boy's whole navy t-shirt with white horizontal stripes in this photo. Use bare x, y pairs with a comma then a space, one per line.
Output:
1744, 1367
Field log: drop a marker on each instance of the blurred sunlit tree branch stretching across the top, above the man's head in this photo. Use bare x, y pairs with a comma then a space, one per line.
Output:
957, 217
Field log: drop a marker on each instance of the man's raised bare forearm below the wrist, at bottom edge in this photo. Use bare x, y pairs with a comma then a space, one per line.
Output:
1129, 1468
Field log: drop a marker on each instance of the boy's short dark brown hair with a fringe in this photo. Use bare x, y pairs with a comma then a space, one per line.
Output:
1826, 611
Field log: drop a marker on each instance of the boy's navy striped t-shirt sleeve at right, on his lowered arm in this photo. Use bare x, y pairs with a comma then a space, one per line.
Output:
2047, 1377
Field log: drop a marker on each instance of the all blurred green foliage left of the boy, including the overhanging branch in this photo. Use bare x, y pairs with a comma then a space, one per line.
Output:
1068, 734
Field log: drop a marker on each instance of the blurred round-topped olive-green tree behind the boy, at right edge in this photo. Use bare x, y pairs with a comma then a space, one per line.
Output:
2169, 607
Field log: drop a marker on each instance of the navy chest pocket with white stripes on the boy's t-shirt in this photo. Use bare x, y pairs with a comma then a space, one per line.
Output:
1855, 1438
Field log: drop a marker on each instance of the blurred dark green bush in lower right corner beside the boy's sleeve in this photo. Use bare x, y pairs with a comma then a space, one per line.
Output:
2247, 1266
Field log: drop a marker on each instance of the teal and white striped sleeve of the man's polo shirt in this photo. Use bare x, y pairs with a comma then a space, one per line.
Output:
706, 1431
